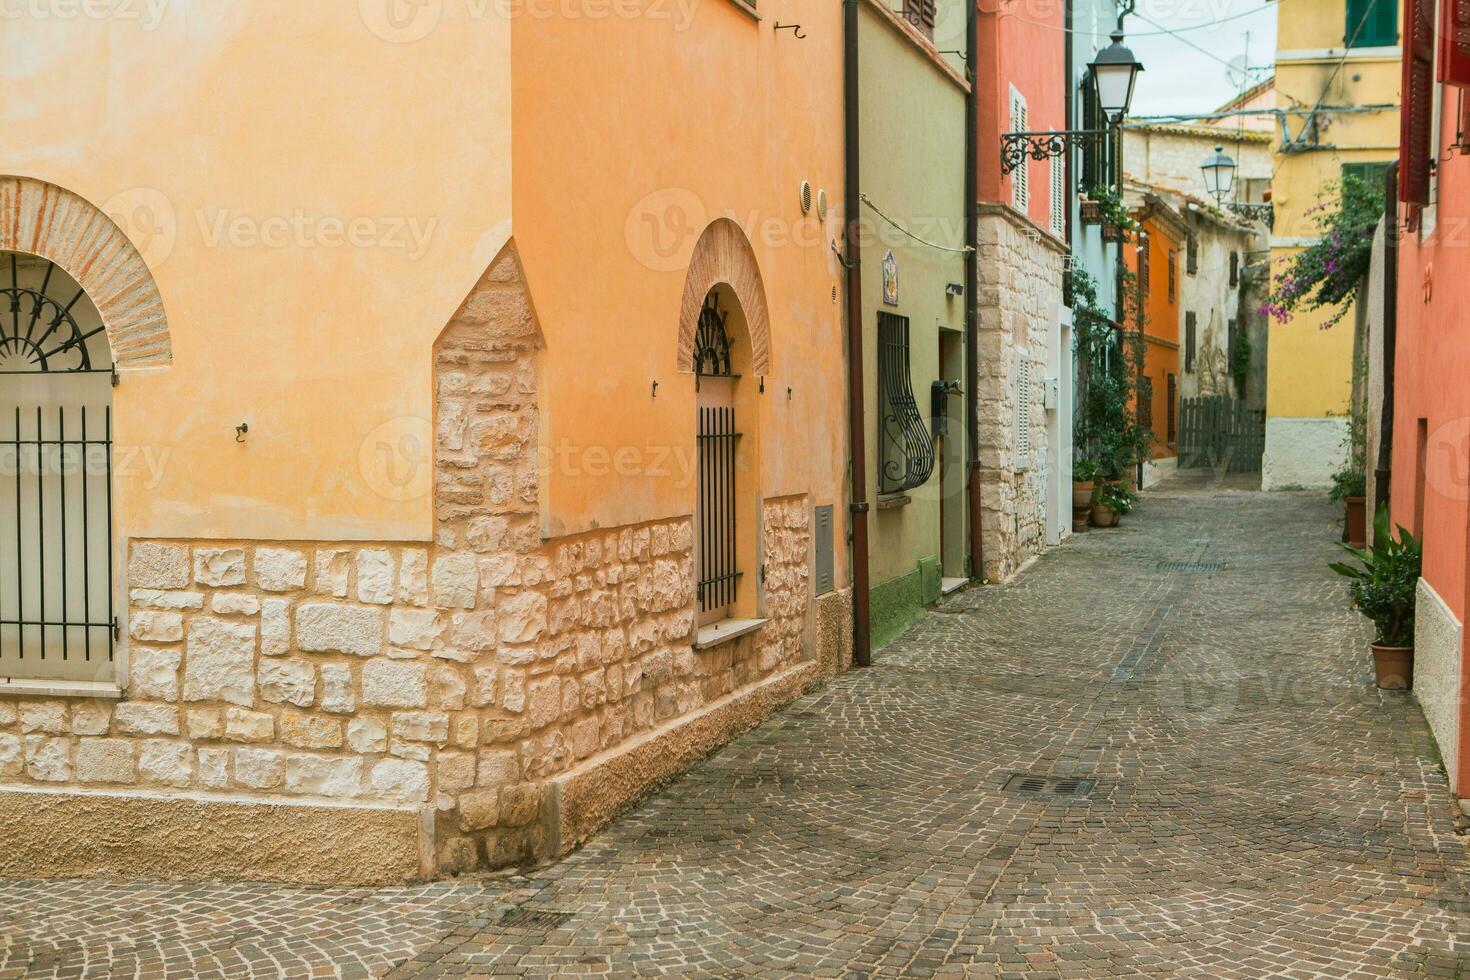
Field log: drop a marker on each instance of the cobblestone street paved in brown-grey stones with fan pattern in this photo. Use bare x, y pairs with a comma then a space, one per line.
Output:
1259, 809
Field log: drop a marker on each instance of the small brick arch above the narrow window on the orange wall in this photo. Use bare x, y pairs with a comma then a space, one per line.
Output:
724, 256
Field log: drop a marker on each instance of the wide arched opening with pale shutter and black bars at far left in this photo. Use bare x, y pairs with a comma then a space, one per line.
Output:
58, 612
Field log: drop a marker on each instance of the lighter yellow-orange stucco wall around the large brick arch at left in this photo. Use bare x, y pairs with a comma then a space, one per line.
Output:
315, 193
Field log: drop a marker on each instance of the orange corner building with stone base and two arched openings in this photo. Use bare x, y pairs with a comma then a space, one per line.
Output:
437, 571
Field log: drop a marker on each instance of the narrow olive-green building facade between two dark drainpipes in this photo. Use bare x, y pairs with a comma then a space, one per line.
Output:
912, 180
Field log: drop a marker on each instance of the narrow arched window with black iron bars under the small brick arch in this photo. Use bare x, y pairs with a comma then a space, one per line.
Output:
718, 443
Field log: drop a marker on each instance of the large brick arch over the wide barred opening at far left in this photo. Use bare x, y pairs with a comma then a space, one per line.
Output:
55, 224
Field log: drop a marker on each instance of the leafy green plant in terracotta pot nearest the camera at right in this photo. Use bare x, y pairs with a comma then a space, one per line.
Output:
1384, 591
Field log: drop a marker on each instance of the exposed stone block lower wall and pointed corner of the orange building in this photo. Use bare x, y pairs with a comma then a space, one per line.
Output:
458, 675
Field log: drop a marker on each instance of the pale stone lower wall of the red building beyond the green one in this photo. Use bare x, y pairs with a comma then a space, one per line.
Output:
1019, 296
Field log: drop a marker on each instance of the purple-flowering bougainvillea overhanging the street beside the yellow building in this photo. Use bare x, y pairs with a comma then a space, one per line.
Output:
1327, 274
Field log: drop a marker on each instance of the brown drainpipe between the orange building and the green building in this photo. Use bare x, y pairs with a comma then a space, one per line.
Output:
856, 396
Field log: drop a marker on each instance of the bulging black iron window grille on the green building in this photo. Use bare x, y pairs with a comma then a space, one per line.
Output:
906, 450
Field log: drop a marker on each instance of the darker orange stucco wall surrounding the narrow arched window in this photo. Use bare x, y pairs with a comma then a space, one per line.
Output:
627, 146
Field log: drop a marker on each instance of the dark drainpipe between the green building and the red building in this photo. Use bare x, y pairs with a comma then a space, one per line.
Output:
972, 300
